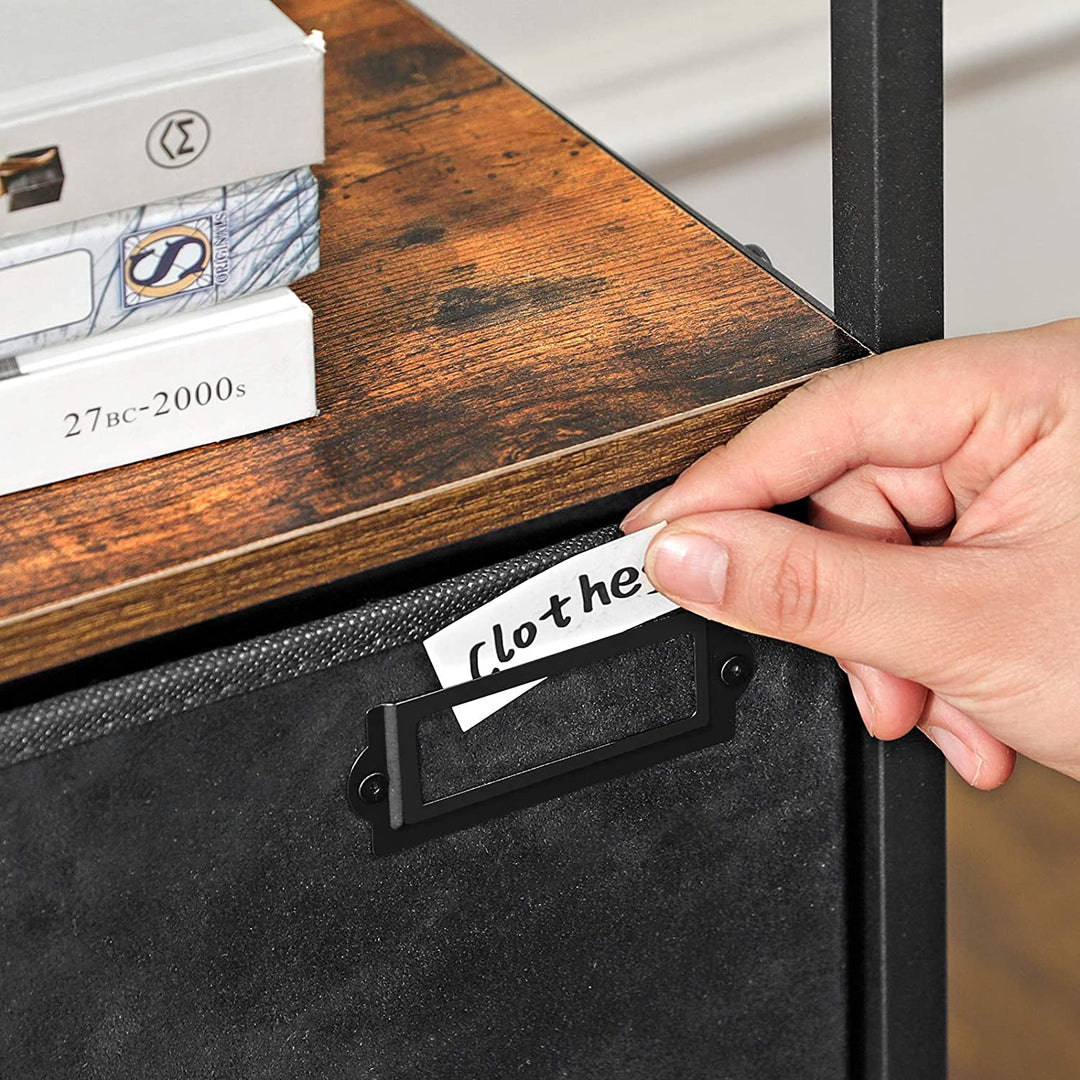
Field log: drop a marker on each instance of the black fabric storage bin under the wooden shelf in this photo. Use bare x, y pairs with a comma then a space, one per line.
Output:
185, 892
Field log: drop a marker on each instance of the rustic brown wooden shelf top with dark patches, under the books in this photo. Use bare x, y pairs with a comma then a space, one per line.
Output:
508, 322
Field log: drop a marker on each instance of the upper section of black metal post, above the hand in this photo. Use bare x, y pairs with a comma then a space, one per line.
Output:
888, 235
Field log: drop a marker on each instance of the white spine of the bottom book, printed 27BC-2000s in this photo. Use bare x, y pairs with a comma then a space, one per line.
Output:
169, 395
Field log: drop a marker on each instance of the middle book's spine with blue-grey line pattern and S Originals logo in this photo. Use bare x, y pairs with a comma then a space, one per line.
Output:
133, 266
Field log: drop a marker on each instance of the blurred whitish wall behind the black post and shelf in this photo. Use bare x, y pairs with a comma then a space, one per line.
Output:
727, 104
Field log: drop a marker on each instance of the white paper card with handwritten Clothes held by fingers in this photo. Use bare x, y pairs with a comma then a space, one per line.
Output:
596, 595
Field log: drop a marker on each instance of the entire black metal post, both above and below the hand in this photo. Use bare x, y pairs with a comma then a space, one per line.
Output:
888, 242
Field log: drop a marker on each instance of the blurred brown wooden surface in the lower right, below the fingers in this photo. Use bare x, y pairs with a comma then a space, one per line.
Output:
1015, 930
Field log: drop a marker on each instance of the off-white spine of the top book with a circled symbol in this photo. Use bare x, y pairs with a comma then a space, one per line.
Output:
141, 145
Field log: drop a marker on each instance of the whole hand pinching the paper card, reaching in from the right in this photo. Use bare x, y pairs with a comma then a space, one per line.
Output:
975, 640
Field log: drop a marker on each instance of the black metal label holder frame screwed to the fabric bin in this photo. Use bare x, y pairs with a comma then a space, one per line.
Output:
385, 787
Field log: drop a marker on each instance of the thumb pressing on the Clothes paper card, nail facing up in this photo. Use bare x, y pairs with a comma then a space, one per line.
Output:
896, 607
